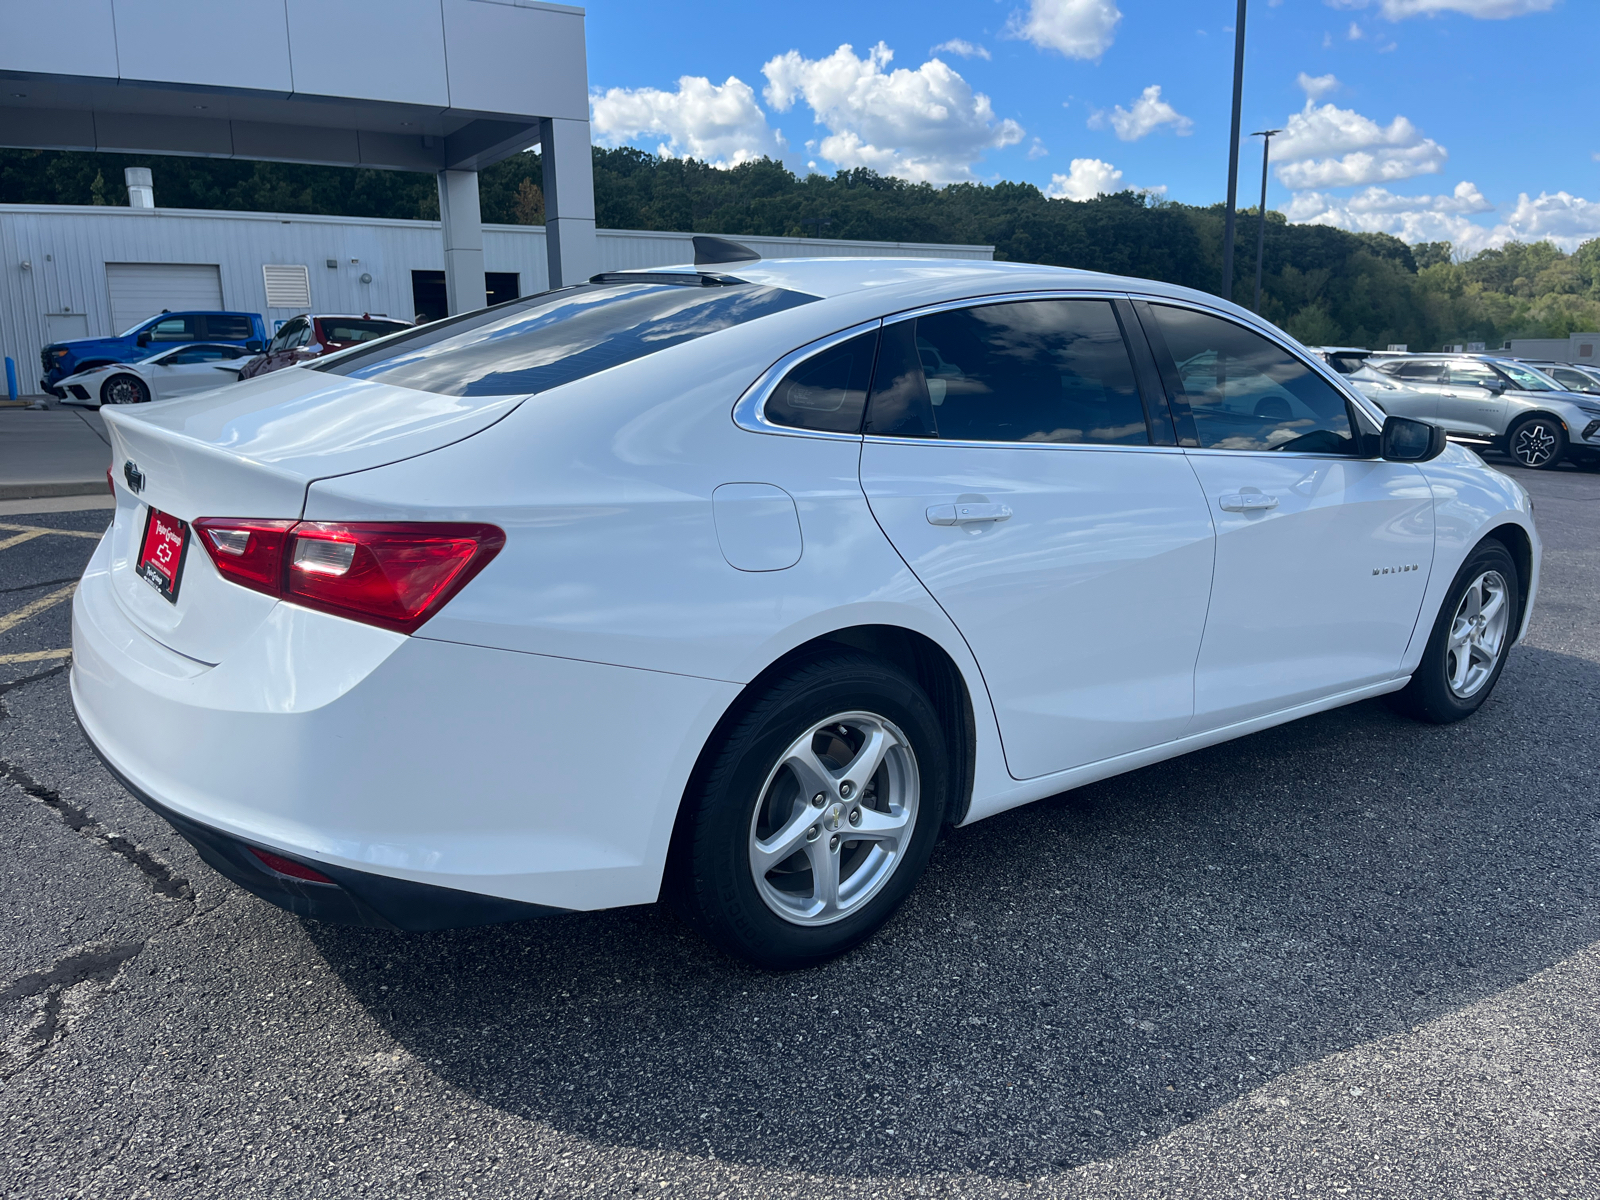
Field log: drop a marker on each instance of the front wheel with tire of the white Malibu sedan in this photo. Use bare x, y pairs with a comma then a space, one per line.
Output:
1471, 639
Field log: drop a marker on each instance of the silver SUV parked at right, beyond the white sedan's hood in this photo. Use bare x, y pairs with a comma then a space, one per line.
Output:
1484, 399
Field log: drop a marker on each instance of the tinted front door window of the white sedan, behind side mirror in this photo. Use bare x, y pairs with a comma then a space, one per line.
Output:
1247, 393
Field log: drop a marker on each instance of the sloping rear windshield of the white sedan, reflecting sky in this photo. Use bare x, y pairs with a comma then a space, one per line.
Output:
550, 340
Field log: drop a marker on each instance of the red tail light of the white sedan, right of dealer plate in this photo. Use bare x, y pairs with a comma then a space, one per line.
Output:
388, 575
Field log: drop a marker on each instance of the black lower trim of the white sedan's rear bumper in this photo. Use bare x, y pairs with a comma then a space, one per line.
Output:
354, 897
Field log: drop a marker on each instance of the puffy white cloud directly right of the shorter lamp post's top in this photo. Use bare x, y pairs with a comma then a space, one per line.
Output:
1340, 148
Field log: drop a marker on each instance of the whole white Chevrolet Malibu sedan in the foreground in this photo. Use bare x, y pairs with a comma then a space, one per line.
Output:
738, 583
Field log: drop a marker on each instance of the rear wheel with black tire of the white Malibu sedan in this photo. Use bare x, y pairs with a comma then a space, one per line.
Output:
814, 815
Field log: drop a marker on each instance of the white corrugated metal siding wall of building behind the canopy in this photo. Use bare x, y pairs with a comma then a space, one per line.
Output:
82, 241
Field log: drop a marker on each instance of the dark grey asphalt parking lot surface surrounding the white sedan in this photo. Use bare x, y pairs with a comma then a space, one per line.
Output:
1353, 956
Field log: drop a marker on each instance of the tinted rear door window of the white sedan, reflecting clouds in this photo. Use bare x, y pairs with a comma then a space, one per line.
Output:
1020, 372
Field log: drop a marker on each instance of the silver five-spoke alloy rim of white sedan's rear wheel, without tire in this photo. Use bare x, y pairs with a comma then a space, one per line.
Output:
836, 818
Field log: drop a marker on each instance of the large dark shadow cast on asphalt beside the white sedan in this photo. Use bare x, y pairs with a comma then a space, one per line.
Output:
1070, 980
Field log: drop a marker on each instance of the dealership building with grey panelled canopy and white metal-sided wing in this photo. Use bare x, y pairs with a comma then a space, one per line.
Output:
446, 87
